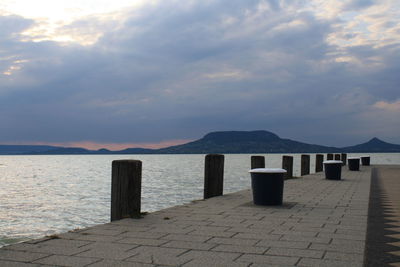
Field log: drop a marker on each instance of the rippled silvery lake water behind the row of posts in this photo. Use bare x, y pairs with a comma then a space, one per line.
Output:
43, 195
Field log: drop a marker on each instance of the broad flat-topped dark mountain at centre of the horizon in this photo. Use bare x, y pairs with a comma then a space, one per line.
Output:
245, 142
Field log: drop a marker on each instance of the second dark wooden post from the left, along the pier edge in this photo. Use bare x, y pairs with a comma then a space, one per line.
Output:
213, 175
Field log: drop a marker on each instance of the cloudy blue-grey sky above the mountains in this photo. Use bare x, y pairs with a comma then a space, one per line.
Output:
118, 74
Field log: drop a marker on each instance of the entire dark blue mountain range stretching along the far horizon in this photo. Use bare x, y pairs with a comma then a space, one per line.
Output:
215, 142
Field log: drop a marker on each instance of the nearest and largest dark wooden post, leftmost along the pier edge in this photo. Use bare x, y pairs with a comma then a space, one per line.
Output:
126, 187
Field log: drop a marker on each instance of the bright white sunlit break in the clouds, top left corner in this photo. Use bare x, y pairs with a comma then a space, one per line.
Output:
53, 18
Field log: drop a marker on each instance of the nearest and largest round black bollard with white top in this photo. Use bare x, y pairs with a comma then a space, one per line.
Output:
267, 186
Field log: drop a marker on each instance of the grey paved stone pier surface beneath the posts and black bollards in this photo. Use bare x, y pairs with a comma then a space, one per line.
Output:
322, 223
